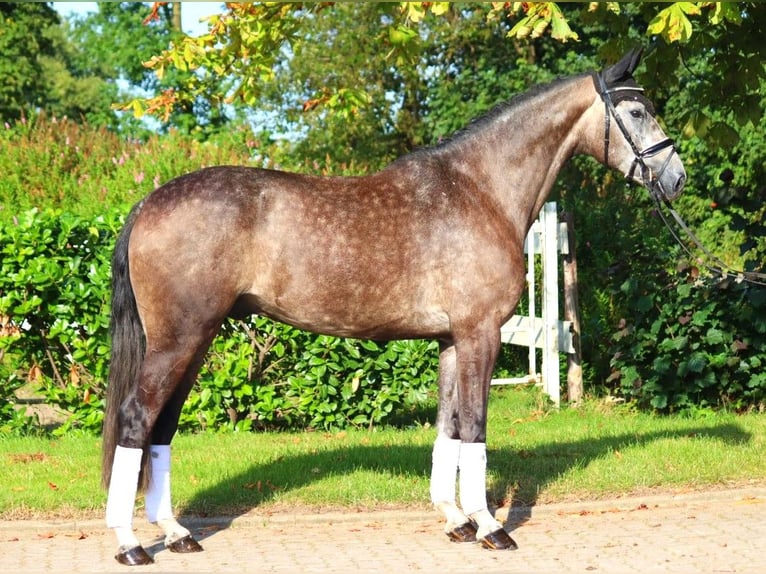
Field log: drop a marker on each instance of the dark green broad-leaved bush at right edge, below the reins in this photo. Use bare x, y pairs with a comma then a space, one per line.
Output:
692, 344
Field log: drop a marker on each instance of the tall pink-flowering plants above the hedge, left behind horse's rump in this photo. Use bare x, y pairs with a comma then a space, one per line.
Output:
56, 163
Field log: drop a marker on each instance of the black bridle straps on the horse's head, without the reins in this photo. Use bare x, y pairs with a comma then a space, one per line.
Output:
653, 184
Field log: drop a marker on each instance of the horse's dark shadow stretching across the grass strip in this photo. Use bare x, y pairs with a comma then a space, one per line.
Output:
524, 472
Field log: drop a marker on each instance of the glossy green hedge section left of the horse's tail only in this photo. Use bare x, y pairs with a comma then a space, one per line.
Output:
54, 288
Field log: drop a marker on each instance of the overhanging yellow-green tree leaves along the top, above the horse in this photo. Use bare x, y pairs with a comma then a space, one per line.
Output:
245, 44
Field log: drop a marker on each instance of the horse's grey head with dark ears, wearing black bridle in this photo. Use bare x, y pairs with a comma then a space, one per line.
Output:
636, 145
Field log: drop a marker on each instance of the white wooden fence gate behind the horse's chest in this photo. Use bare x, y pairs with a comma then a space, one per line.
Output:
546, 238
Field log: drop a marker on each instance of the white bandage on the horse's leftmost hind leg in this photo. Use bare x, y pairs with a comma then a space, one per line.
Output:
122, 494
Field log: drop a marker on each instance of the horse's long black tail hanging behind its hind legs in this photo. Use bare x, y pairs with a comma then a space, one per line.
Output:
127, 352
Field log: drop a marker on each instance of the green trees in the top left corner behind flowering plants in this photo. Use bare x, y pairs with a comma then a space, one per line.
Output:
81, 67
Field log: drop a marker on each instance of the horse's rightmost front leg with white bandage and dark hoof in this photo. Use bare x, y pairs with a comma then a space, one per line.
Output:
476, 355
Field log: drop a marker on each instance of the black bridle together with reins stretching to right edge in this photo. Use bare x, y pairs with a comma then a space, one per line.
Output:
657, 192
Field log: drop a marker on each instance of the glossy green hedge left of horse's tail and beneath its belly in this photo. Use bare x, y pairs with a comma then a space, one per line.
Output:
54, 304
